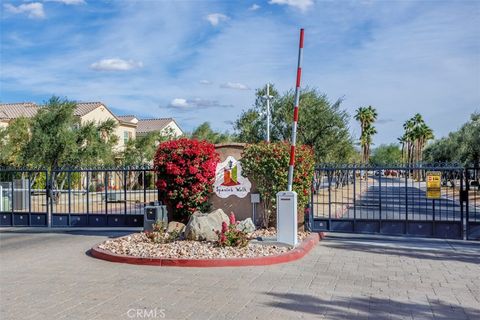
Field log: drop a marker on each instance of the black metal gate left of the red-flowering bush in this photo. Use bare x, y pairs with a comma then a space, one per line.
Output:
76, 197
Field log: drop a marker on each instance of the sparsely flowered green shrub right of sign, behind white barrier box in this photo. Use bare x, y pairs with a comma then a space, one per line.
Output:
267, 165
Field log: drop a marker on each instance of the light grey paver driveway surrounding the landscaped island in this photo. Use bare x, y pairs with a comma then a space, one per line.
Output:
50, 276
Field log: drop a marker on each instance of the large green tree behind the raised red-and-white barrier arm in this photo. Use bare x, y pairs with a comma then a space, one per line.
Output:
322, 125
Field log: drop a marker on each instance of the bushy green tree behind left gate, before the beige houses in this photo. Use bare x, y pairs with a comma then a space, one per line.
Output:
59, 139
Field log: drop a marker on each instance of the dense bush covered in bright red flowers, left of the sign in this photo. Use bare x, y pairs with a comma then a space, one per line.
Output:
186, 171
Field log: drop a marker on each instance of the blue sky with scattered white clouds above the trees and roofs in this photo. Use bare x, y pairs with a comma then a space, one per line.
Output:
201, 61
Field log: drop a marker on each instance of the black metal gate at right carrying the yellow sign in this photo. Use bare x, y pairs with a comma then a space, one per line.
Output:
392, 201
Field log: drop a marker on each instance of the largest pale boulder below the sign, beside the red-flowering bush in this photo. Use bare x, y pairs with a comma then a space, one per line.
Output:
202, 226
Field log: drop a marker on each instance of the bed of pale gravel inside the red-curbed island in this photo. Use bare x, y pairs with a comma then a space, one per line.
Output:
138, 245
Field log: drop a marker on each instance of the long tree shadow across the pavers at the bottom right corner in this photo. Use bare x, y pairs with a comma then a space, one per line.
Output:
370, 308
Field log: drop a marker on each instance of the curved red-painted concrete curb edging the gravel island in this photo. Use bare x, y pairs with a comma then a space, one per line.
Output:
299, 252
